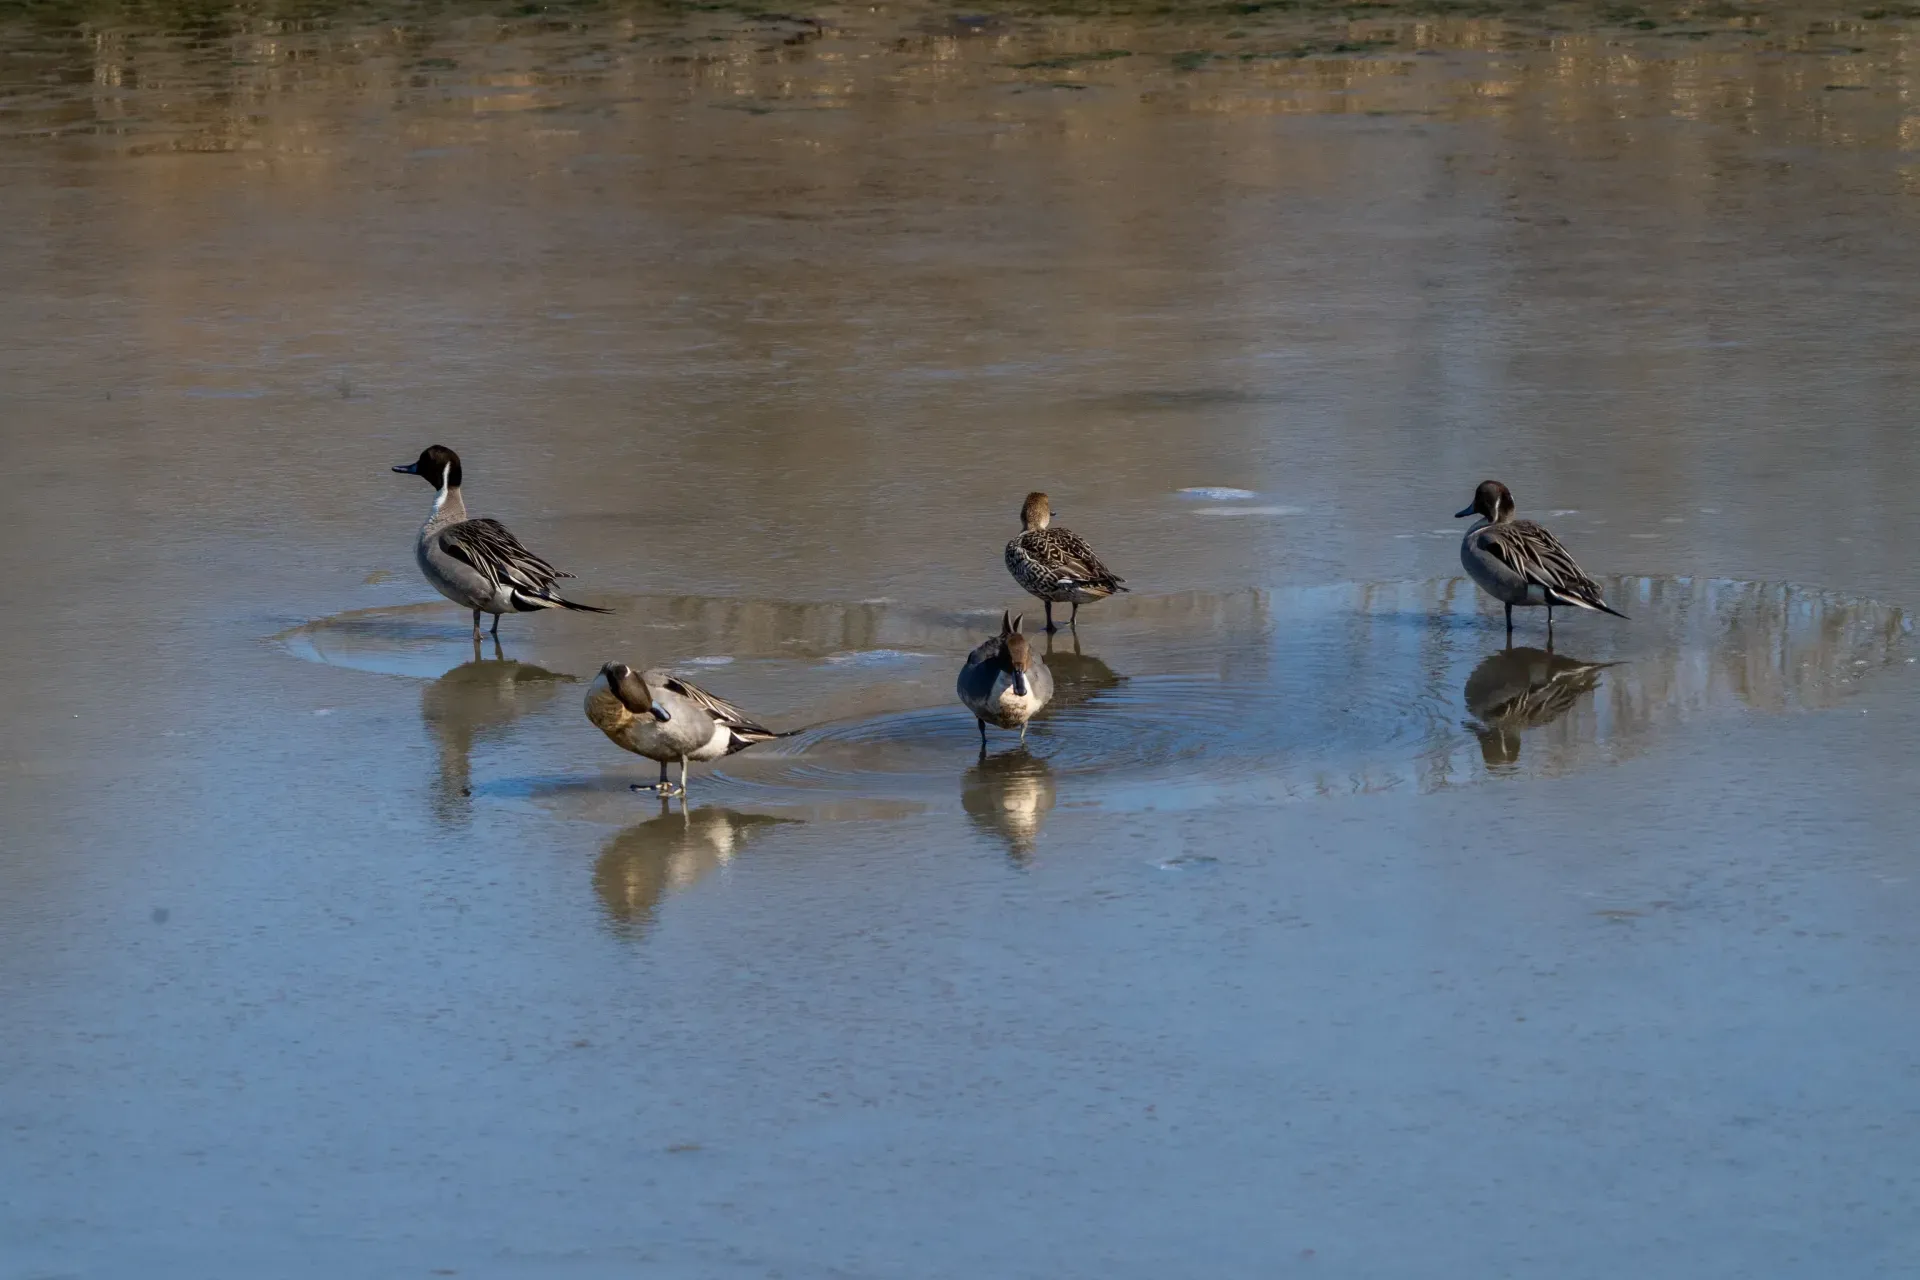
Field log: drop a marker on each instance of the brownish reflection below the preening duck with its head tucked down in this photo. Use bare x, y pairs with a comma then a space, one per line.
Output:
665, 855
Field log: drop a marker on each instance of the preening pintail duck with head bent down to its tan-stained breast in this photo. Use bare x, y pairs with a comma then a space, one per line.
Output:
667, 717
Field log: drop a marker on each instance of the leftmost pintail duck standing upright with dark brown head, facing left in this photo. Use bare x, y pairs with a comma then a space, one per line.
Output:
479, 563
